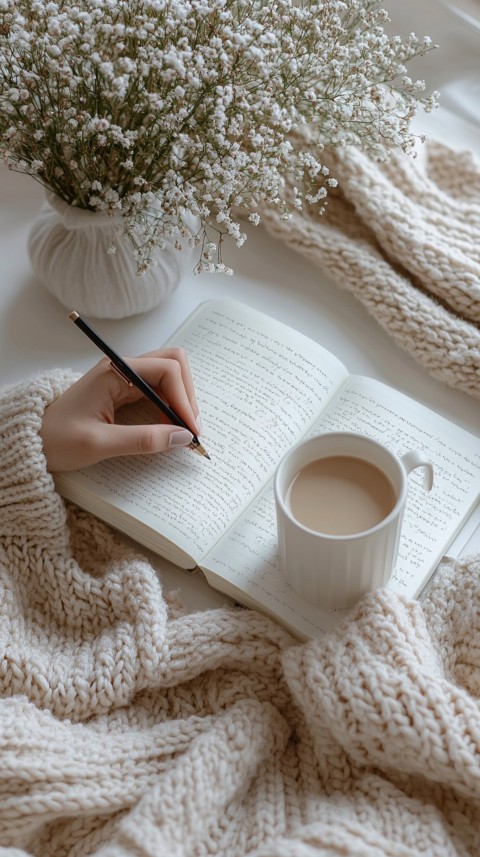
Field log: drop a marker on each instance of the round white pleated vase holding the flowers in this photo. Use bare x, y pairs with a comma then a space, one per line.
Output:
68, 250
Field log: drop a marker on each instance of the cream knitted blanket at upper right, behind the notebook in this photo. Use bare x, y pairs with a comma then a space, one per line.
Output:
403, 237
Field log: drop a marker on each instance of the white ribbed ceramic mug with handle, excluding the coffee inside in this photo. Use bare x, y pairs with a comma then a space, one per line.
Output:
334, 571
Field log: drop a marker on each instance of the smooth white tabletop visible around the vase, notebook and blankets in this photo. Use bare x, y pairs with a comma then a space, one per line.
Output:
35, 332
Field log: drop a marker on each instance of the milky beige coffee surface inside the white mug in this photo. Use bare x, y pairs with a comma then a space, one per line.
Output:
340, 495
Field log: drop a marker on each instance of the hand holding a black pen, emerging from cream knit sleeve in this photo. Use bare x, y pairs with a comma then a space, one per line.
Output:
78, 428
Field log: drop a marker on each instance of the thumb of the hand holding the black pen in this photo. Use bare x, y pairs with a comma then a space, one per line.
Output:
114, 440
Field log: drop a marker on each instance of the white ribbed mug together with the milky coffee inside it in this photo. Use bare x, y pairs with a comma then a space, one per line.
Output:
340, 499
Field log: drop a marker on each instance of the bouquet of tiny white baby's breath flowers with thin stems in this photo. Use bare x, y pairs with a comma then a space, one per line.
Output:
147, 109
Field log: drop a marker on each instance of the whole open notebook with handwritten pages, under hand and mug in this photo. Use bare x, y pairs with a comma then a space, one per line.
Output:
263, 386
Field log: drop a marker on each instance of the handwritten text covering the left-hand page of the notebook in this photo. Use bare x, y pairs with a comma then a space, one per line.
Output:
257, 394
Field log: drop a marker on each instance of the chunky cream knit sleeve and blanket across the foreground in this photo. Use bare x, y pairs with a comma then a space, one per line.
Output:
130, 729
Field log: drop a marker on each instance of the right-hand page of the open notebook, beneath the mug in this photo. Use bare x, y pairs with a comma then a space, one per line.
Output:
248, 555
